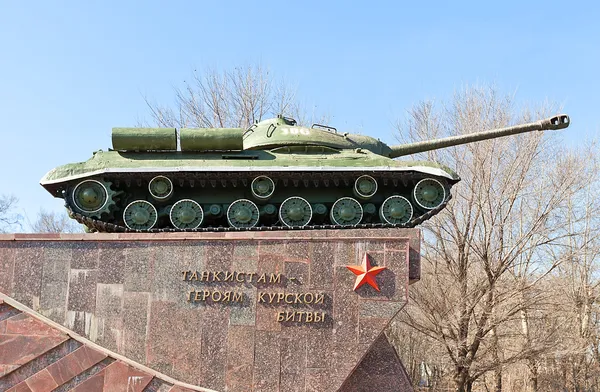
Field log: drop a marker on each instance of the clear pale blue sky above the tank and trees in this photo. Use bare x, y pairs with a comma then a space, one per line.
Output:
72, 70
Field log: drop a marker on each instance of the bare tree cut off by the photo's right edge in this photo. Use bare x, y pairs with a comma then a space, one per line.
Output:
578, 284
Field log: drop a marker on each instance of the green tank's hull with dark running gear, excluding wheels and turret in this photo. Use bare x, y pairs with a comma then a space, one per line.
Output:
210, 178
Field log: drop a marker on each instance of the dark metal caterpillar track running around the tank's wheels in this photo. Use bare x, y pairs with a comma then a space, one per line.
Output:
205, 178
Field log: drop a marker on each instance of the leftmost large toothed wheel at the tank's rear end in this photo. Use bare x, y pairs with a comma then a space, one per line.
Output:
92, 197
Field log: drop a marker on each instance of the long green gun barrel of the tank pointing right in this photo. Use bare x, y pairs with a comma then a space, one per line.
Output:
556, 122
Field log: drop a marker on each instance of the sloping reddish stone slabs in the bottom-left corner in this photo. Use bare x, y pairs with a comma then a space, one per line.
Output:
47, 359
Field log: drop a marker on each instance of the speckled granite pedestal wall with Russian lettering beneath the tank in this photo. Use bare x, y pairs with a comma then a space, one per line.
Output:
235, 311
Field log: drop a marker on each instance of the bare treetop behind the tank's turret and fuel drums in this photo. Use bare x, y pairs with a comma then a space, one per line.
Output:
233, 98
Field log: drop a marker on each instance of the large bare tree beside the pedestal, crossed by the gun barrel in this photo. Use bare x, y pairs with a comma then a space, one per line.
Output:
507, 210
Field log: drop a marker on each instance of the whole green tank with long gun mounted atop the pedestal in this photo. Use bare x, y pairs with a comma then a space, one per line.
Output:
274, 175
